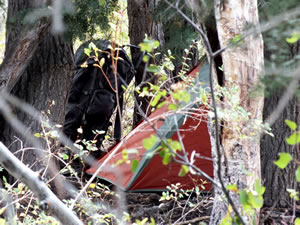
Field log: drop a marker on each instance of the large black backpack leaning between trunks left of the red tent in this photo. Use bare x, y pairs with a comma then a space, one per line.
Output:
92, 98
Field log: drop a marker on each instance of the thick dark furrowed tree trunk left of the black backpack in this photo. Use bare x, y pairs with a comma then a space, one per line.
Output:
47, 78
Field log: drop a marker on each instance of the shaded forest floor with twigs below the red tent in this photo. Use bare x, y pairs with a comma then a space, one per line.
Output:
180, 207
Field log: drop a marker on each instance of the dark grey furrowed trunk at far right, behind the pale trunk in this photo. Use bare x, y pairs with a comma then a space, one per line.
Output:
275, 179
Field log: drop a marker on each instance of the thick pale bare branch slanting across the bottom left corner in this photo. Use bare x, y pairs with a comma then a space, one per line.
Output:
47, 199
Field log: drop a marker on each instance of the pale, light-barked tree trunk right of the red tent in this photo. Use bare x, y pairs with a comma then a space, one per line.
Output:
241, 67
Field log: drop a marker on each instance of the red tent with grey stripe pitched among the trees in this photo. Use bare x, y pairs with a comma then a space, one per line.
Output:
151, 174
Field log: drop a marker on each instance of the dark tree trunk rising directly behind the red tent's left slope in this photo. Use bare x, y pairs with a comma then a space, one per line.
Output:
141, 24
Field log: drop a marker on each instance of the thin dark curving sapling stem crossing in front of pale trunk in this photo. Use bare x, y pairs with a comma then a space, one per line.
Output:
219, 154
